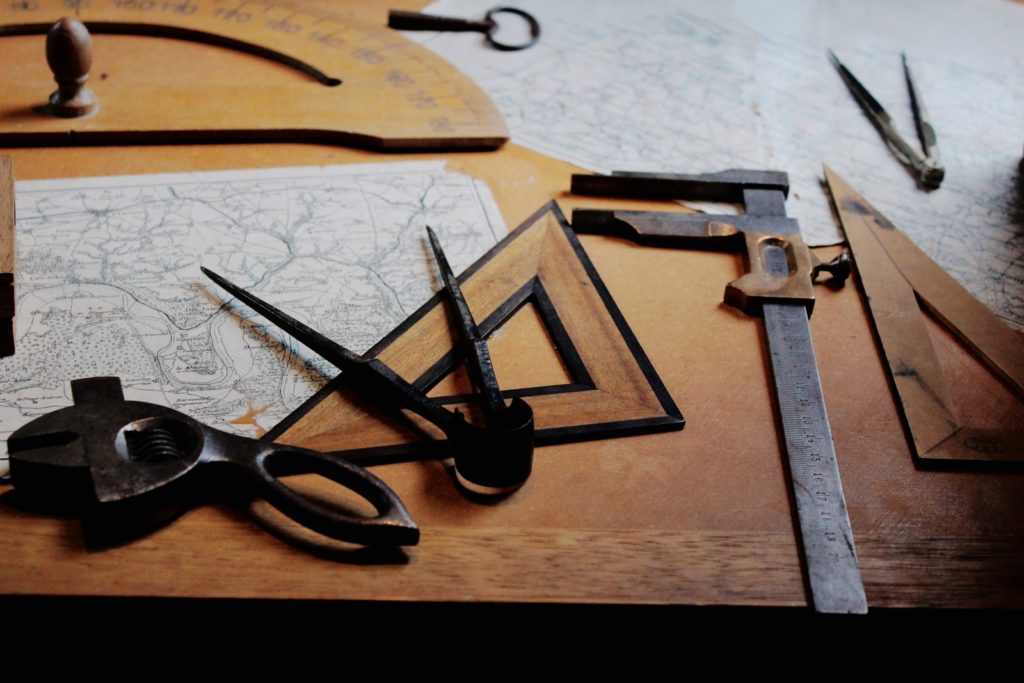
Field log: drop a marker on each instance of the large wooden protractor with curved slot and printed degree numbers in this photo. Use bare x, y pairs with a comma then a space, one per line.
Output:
320, 75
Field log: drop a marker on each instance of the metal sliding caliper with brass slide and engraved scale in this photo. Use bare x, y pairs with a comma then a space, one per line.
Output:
780, 287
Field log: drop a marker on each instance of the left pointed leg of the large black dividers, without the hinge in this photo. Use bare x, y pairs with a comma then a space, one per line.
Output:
377, 379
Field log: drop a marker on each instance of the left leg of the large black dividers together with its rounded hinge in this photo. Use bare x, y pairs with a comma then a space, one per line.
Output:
492, 458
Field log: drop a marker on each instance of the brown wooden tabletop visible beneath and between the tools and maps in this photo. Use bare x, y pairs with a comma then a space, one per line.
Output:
701, 517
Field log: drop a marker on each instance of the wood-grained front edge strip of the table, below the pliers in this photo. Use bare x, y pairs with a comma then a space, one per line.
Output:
540, 566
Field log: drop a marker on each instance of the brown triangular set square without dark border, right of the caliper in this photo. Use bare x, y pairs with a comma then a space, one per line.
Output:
897, 275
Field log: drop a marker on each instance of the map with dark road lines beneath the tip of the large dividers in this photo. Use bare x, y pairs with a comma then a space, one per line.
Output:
109, 281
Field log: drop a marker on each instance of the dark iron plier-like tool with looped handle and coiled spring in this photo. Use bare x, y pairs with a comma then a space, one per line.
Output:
142, 464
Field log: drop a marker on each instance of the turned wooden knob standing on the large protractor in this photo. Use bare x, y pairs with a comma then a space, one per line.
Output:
69, 52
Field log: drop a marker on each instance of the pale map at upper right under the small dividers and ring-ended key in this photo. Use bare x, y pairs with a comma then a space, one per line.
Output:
691, 87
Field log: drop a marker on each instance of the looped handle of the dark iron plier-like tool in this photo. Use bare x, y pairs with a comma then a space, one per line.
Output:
392, 527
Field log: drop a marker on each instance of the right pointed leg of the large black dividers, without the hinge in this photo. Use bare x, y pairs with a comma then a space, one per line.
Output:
481, 368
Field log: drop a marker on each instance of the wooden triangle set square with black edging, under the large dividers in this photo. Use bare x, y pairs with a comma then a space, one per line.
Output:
613, 390
